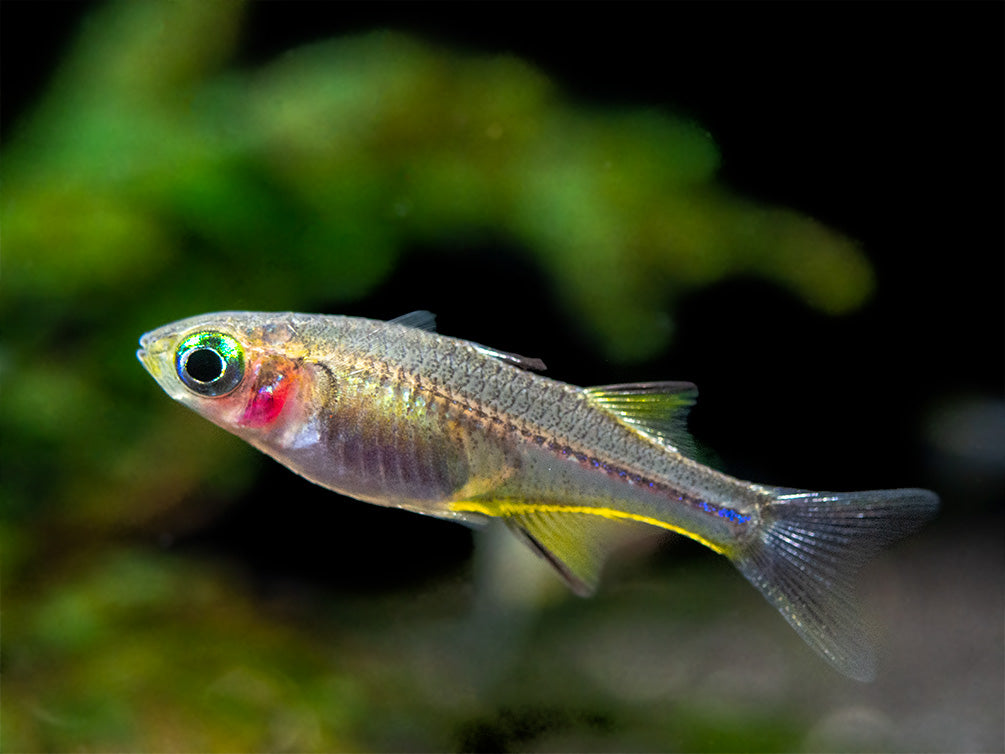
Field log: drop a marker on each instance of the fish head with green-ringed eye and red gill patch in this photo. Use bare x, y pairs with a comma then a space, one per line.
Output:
244, 371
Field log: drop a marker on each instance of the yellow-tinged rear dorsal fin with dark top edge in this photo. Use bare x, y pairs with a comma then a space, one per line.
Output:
658, 410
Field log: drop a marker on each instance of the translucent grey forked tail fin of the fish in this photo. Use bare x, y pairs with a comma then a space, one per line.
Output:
807, 553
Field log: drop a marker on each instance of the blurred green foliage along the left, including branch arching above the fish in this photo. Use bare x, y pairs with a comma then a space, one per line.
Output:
155, 179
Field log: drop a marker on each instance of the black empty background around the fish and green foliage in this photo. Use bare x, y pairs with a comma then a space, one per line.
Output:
883, 121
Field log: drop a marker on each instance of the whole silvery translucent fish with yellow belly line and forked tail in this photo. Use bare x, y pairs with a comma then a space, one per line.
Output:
396, 415
